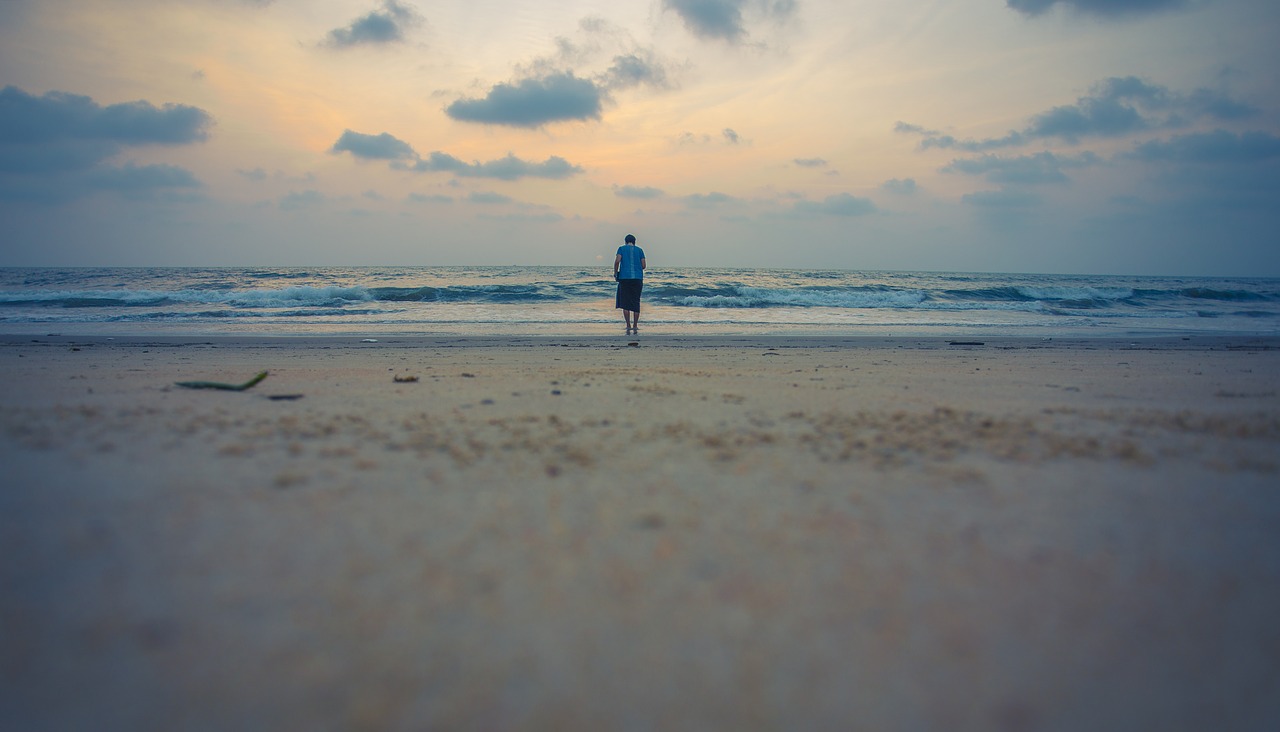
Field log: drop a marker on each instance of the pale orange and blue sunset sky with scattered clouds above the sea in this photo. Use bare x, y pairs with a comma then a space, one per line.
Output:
1022, 136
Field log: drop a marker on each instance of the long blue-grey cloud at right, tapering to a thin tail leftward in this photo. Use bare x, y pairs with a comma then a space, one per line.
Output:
1114, 108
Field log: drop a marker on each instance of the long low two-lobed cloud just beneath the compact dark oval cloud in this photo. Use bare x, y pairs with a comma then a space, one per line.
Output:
403, 157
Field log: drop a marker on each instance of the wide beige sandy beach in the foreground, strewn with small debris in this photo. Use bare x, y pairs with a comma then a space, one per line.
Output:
683, 534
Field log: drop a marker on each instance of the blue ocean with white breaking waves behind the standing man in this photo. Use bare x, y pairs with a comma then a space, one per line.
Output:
566, 300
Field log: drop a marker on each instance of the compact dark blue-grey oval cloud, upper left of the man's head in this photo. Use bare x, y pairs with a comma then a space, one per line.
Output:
533, 103
